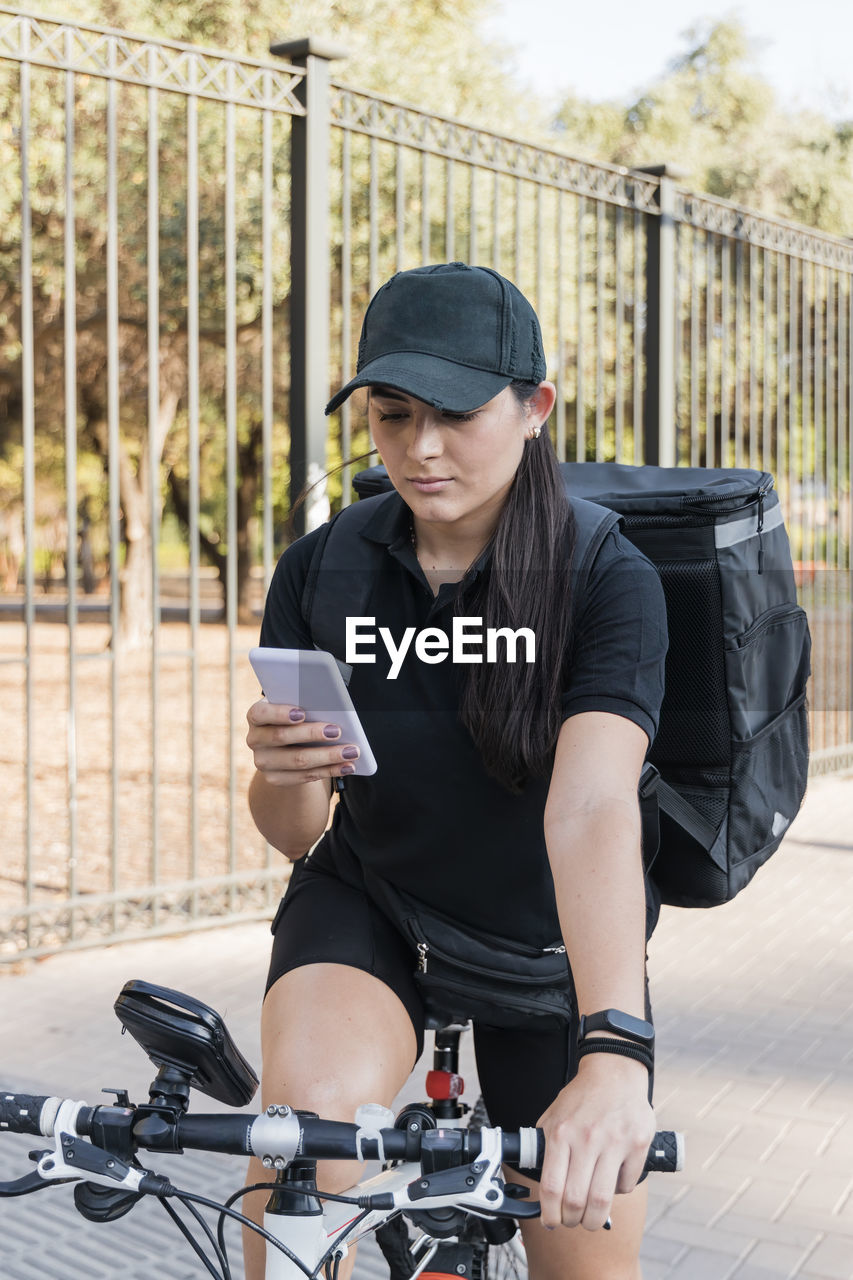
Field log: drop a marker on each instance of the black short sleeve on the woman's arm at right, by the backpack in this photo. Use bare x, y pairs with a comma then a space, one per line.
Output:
619, 639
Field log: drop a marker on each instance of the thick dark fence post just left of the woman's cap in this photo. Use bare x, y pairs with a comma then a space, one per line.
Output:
311, 273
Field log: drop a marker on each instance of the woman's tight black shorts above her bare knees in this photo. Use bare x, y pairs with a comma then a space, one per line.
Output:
326, 917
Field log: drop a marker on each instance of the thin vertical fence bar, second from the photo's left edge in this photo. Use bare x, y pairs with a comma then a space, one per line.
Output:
71, 449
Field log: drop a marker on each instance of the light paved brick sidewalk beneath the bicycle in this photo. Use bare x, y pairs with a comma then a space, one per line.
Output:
754, 1007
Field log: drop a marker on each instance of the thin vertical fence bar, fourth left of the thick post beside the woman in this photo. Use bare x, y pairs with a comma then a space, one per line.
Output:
154, 451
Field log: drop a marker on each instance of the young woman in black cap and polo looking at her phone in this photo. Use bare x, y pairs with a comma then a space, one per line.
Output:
514, 783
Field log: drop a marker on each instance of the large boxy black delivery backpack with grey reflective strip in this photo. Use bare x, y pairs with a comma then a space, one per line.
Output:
727, 772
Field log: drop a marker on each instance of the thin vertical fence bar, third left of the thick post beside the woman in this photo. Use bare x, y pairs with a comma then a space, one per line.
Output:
194, 481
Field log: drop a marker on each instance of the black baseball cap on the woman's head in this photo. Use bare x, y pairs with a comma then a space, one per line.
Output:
451, 335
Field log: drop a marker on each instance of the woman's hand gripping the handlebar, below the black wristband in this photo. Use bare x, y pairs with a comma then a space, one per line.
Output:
599, 1131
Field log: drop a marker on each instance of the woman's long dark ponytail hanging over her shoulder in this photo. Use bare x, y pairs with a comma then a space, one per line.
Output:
513, 711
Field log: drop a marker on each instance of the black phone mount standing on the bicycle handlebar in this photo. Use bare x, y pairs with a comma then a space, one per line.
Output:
188, 1043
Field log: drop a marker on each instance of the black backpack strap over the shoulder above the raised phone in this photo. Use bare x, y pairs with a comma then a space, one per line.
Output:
339, 583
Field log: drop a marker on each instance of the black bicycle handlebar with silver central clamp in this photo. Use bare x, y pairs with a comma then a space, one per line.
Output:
279, 1135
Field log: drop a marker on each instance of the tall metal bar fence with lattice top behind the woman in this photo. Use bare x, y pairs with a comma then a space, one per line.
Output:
189, 241
